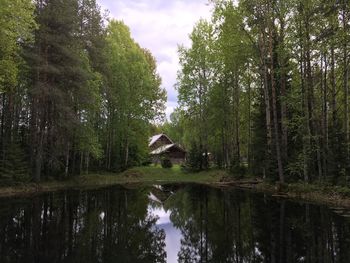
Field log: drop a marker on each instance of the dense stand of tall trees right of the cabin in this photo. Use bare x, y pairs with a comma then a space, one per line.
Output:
265, 85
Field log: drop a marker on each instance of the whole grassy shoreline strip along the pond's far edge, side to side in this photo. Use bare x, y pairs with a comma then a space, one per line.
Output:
316, 194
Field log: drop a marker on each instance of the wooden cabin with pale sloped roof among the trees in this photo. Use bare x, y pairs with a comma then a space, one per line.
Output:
161, 146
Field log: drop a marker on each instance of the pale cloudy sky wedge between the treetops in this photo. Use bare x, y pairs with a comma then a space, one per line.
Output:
160, 26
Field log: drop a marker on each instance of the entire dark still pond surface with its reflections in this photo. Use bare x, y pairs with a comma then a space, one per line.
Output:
170, 224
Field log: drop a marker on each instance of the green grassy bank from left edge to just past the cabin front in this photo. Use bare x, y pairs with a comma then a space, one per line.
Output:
139, 175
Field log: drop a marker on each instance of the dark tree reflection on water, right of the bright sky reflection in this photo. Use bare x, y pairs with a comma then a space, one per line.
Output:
234, 226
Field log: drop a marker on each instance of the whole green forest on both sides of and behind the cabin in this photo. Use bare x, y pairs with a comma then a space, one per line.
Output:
263, 90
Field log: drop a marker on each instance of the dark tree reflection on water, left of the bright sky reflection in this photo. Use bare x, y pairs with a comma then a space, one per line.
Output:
99, 226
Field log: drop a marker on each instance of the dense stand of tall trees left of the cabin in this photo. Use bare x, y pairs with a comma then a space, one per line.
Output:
77, 92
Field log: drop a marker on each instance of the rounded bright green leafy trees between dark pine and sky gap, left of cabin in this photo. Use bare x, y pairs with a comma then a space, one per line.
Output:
134, 97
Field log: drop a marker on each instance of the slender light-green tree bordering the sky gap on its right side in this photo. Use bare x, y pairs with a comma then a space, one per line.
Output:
195, 80
